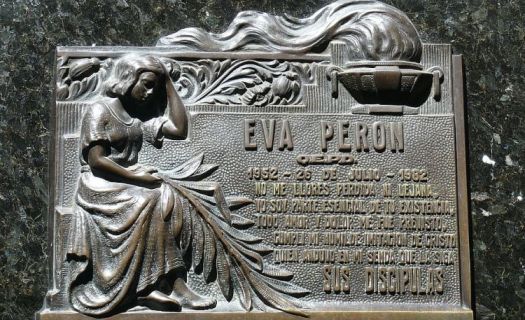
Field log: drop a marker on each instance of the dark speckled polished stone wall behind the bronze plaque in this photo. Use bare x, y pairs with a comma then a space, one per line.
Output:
490, 33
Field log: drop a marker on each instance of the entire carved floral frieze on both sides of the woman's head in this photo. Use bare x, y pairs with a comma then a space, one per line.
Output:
226, 82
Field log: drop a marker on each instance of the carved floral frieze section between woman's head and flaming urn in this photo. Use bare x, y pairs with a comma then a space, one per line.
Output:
246, 82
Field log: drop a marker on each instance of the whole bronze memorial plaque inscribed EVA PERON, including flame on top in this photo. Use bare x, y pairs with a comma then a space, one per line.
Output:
287, 168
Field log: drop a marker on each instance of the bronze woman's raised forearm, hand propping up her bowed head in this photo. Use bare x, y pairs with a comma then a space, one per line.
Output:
177, 126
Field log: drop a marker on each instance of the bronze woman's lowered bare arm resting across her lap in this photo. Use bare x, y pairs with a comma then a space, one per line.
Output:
100, 164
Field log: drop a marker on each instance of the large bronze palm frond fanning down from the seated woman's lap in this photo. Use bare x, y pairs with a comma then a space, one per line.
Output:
220, 248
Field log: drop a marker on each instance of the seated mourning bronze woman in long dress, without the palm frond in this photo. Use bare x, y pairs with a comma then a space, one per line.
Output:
122, 247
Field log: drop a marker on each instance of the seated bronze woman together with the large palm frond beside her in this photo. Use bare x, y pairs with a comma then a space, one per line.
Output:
136, 230
